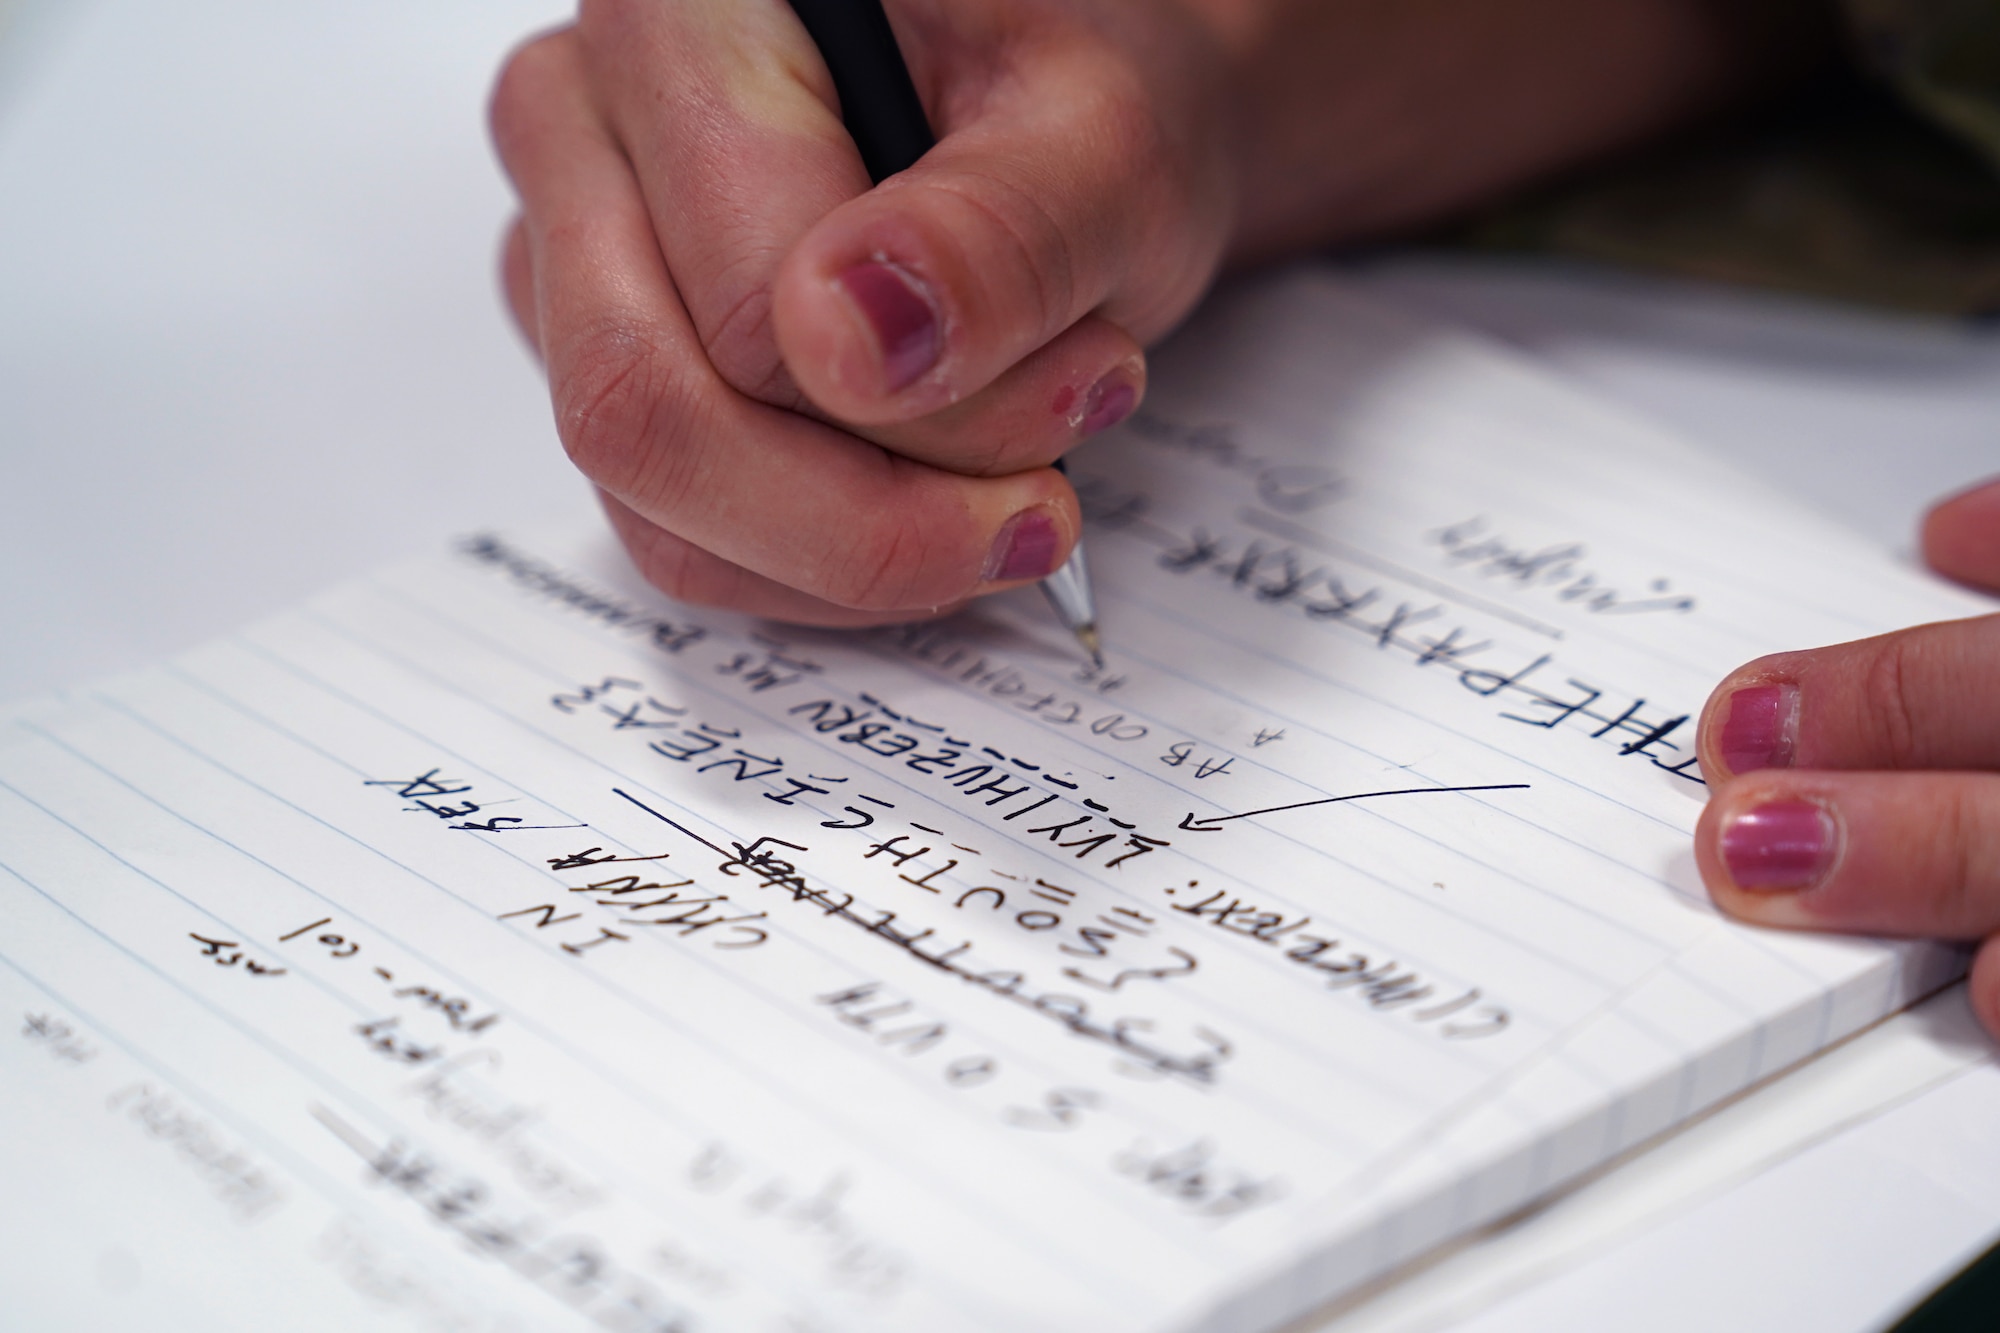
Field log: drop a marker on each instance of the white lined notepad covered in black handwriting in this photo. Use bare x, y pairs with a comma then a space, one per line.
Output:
497, 946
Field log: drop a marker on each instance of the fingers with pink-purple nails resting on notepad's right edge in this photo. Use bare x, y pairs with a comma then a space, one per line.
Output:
1859, 788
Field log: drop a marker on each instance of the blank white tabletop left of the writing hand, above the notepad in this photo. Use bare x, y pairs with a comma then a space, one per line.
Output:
251, 339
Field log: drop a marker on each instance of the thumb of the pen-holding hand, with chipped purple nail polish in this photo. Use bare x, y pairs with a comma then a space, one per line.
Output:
1071, 195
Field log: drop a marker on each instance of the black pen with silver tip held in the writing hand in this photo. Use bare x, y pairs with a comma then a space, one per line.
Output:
887, 121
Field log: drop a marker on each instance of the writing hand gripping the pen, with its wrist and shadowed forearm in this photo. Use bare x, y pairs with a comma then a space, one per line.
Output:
825, 403
